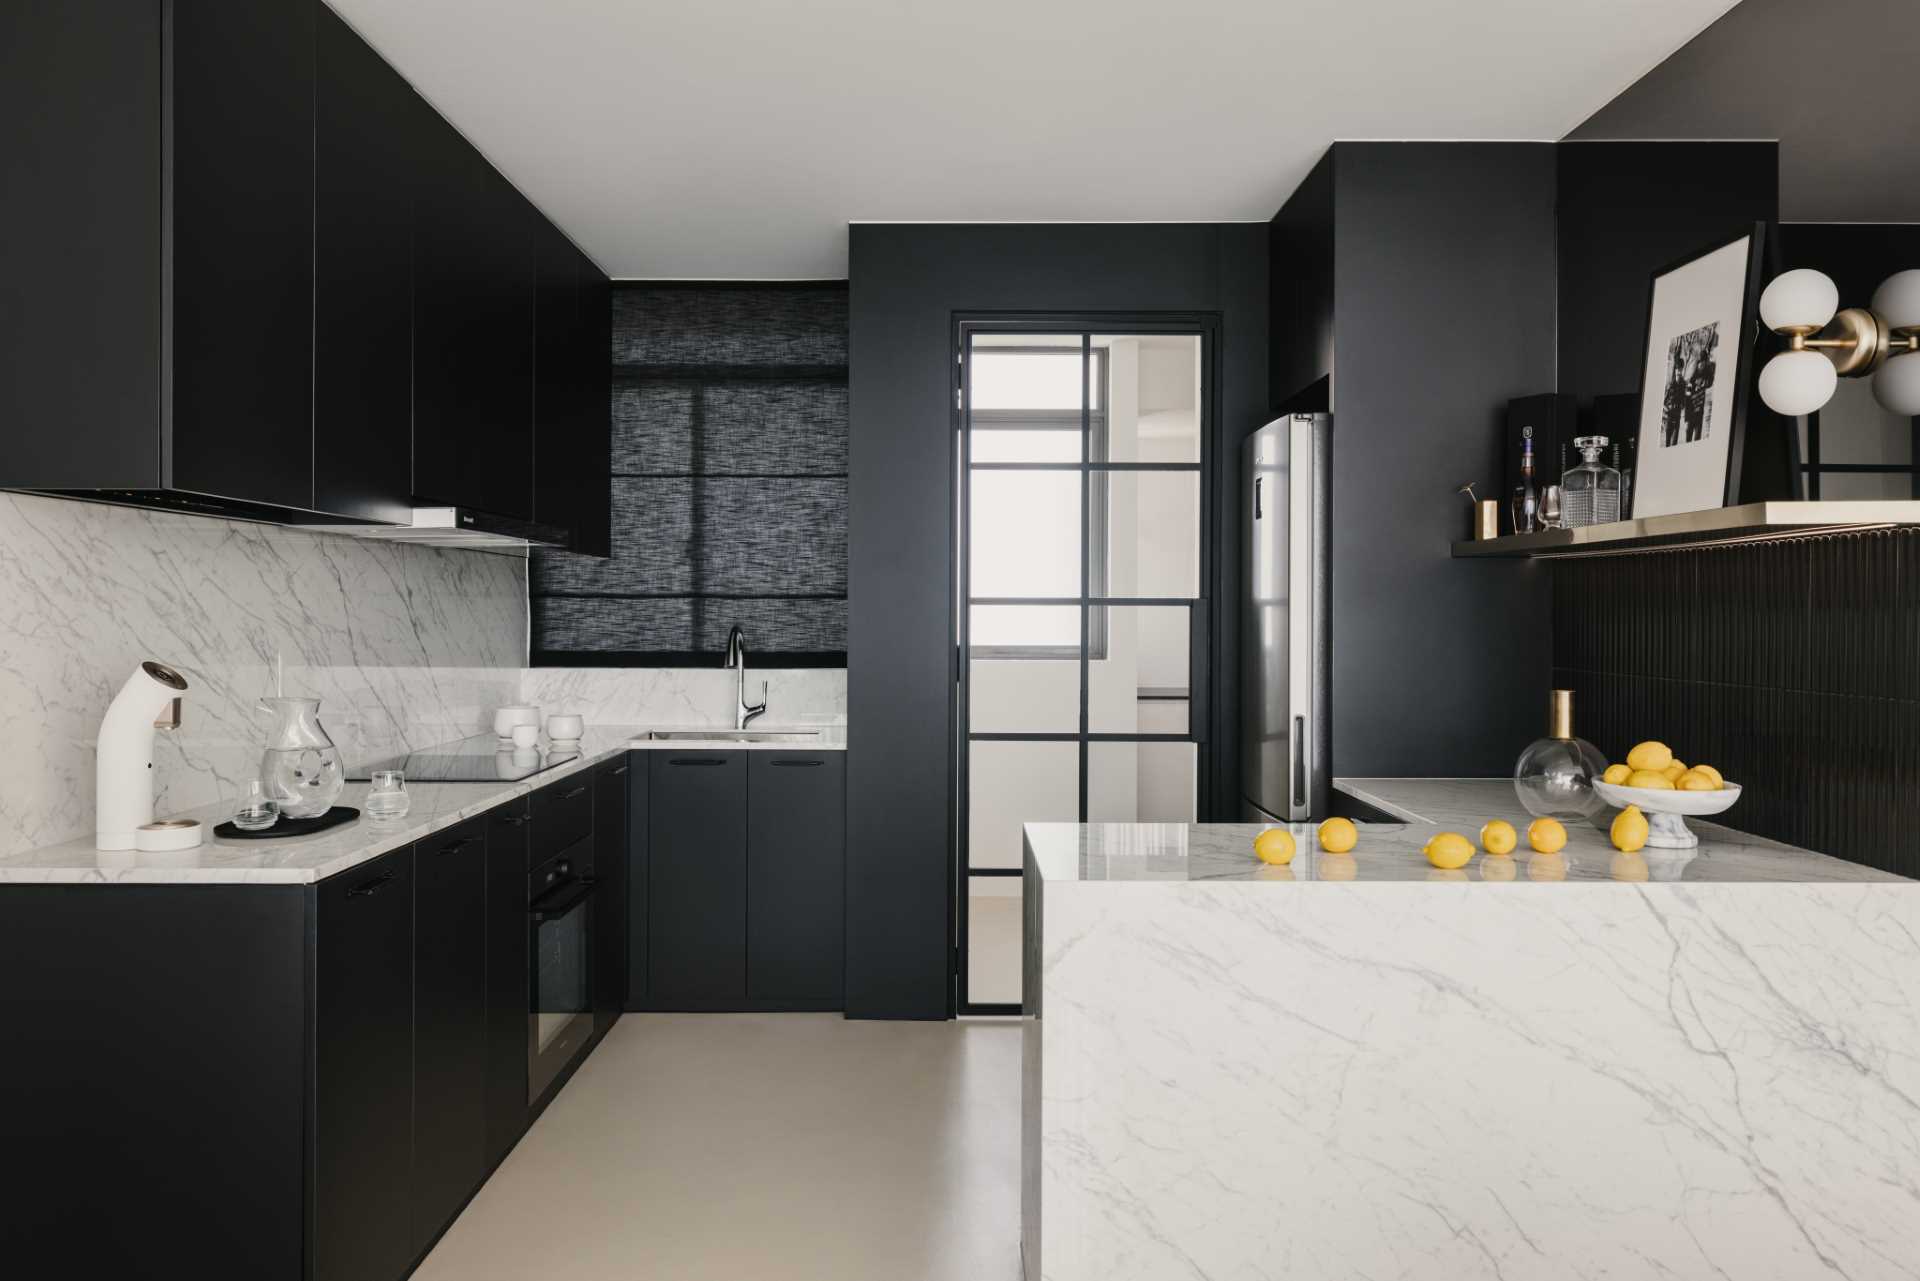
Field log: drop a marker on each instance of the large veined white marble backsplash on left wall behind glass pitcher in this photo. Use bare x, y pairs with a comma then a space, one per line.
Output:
404, 646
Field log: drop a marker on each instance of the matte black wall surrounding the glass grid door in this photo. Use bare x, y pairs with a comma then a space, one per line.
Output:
907, 285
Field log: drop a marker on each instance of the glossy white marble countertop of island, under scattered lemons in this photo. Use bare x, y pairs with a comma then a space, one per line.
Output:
1116, 852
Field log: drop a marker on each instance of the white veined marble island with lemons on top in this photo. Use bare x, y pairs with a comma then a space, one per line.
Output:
1541, 1067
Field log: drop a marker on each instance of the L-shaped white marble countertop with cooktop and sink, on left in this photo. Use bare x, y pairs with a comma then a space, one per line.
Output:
300, 861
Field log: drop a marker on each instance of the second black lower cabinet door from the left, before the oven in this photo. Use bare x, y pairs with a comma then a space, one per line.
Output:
450, 1025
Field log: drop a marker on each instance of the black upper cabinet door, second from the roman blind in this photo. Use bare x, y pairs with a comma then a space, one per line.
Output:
473, 391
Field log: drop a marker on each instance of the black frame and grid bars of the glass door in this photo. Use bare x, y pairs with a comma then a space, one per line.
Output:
1203, 610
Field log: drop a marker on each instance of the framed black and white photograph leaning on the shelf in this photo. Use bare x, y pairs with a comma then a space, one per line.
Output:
1694, 377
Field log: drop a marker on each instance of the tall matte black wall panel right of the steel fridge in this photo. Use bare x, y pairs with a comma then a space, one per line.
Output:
1443, 314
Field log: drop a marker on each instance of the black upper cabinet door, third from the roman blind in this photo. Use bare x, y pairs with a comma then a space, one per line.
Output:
362, 281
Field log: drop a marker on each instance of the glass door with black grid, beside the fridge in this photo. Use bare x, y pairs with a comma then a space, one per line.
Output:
1082, 637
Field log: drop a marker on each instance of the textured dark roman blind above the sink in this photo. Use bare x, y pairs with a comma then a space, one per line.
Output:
729, 485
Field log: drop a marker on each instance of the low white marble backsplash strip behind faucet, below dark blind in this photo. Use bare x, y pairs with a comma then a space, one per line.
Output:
686, 696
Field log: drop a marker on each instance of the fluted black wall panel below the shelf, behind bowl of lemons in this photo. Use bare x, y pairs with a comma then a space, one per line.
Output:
1792, 667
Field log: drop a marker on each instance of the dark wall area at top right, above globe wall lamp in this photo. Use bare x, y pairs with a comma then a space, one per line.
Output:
1833, 80
